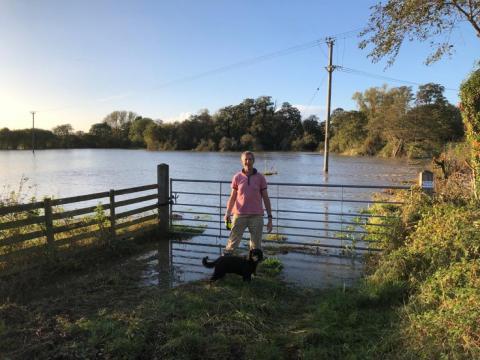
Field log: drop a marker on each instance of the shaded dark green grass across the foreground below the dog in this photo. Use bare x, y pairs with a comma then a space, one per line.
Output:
99, 309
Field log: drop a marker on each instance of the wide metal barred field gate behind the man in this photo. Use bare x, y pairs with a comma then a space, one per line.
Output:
327, 216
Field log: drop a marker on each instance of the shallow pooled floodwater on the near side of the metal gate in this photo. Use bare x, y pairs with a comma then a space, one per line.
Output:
179, 262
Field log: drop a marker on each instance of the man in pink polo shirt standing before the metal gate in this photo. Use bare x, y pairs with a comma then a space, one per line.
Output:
249, 188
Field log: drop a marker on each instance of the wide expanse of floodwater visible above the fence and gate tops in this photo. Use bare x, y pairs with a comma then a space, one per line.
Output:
62, 173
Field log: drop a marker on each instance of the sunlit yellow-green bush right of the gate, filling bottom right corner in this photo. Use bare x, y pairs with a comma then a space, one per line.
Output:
436, 272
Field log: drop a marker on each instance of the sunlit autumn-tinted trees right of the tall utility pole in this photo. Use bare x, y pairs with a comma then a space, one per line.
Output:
393, 122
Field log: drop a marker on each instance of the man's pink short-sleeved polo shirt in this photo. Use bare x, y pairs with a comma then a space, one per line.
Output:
249, 193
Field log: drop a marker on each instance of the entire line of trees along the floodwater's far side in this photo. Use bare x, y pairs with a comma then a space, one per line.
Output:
390, 122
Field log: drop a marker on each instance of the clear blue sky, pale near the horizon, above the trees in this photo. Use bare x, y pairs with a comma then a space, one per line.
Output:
74, 62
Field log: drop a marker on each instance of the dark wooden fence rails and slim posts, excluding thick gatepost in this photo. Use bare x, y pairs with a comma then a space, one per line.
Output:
43, 223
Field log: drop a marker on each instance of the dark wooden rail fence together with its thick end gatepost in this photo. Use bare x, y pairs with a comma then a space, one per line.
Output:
43, 227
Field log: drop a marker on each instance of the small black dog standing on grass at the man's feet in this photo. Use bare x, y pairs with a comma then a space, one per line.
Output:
244, 267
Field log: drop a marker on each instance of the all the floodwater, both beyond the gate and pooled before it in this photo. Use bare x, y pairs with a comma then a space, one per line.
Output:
62, 173
